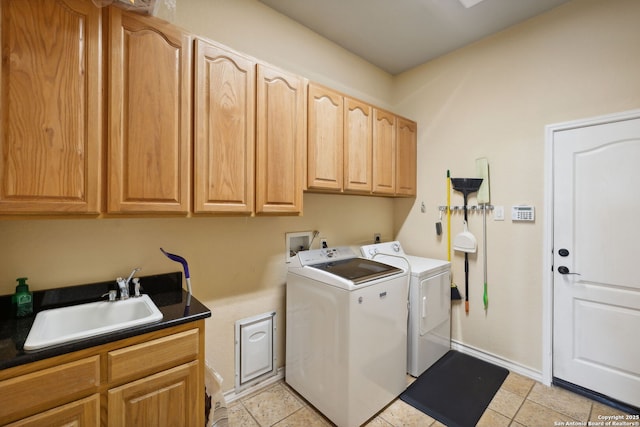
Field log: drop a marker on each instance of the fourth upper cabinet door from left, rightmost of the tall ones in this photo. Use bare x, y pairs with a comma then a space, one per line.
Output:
280, 141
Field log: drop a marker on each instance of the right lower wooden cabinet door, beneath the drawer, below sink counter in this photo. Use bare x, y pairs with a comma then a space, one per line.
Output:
169, 398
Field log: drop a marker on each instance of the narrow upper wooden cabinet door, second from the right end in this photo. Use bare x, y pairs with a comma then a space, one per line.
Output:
384, 152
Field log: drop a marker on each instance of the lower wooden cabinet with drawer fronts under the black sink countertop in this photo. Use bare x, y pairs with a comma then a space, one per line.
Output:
155, 379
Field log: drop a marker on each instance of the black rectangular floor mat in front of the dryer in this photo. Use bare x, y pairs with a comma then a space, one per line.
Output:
456, 390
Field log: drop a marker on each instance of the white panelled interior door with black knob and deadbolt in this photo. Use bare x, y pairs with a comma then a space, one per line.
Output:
596, 283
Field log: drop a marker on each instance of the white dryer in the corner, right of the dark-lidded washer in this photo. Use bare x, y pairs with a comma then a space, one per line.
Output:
429, 327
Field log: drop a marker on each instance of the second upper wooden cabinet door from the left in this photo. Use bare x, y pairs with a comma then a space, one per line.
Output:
149, 115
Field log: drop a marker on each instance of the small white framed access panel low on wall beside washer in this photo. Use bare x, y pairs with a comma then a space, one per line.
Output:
255, 349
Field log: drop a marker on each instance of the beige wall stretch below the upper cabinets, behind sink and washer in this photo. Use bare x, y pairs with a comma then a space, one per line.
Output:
237, 265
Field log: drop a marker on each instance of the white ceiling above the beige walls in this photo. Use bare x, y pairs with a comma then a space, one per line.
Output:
397, 35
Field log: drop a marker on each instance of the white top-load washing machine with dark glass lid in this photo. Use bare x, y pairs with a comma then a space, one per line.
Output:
346, 333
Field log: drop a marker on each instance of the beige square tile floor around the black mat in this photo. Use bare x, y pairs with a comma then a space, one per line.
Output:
519, 402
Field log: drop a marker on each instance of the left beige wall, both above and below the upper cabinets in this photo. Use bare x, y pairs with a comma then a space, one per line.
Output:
237, 264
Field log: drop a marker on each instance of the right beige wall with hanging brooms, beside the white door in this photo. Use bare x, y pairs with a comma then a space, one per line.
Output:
493, 99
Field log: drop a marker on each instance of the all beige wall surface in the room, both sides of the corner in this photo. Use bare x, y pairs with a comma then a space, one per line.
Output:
490, 99
